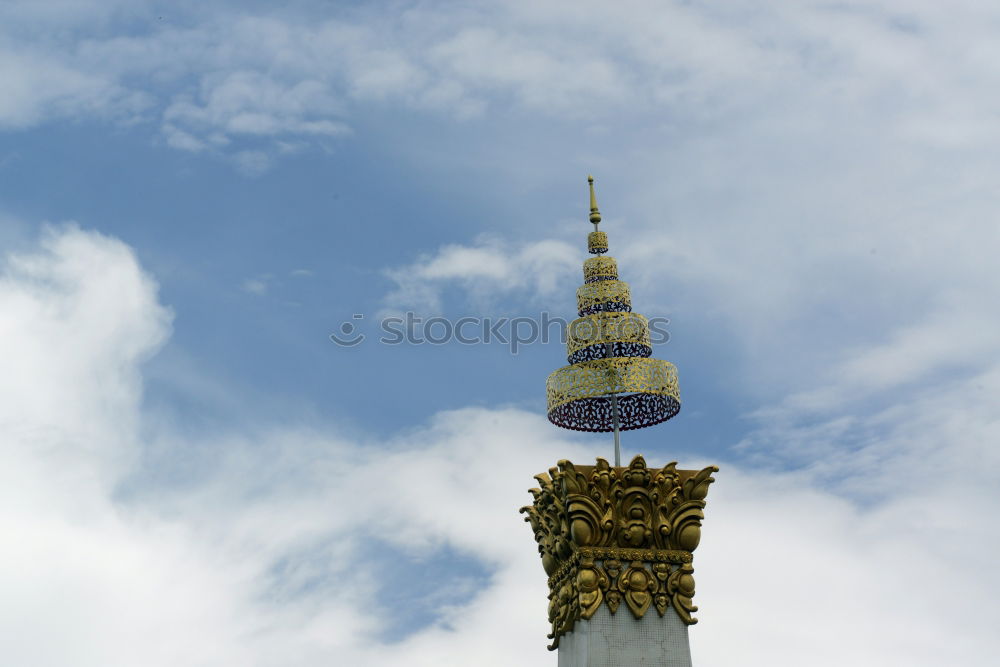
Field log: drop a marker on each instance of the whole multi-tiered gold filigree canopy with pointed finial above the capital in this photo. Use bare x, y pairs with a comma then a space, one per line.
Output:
611, 382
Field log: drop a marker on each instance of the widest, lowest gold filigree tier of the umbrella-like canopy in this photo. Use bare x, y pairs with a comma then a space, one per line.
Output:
579, 394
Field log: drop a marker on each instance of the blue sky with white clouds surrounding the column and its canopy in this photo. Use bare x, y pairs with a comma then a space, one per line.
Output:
194, 196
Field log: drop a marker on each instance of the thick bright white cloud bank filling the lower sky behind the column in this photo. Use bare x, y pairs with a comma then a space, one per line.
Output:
257, 552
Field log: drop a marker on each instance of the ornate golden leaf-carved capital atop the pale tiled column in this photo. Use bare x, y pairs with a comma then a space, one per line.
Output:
618, 534
